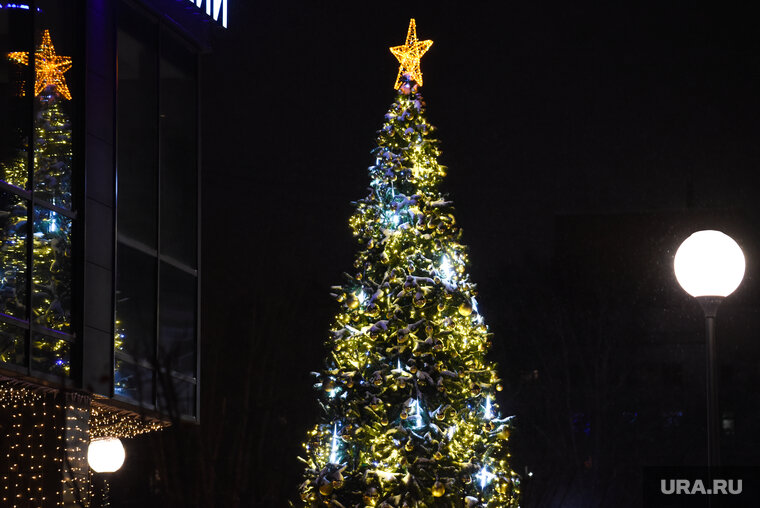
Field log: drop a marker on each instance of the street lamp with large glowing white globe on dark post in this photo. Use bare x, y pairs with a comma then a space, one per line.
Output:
709, 265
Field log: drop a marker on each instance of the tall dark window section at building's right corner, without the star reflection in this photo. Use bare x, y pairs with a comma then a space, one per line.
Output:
157, 203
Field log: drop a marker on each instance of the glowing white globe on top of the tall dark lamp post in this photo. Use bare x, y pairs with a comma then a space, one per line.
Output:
709, 263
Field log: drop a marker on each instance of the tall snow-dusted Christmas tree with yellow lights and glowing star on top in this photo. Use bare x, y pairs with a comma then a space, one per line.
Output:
410, 418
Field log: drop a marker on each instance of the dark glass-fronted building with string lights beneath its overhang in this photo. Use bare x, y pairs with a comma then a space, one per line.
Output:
99, 230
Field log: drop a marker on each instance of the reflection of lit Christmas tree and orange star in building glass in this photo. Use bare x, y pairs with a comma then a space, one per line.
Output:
51, 184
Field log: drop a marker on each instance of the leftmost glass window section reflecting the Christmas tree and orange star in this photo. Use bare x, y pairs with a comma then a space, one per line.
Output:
39, 90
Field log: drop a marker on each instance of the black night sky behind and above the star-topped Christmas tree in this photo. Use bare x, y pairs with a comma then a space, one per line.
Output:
542, 110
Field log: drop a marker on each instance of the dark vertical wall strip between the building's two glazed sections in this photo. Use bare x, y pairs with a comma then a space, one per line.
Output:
99, 198
